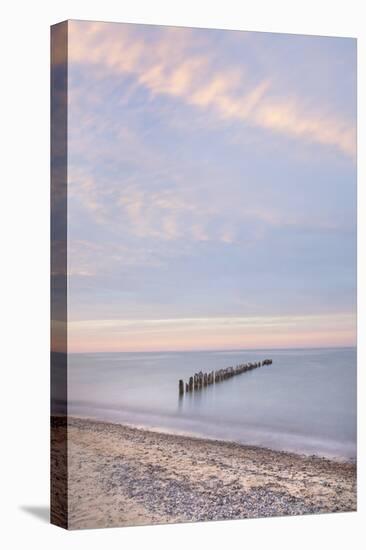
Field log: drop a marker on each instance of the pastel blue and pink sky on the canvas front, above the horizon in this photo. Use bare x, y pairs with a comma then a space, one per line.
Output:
211, 189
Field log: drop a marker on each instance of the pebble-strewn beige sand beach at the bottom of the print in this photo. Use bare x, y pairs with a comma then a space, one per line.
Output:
121, 476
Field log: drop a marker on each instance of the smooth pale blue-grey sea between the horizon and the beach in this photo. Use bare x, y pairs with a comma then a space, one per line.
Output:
304, 402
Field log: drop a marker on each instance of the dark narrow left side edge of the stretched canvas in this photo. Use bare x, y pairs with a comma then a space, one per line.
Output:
59, 498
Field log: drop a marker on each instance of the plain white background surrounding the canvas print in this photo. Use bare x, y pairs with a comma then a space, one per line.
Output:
24, 215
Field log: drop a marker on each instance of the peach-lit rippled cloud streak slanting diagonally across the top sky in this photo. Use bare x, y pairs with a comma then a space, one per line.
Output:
165, 62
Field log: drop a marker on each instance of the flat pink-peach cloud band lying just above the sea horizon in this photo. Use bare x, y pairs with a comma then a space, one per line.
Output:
211, 332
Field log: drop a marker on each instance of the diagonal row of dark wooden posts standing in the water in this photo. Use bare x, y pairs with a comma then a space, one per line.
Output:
201, 379
